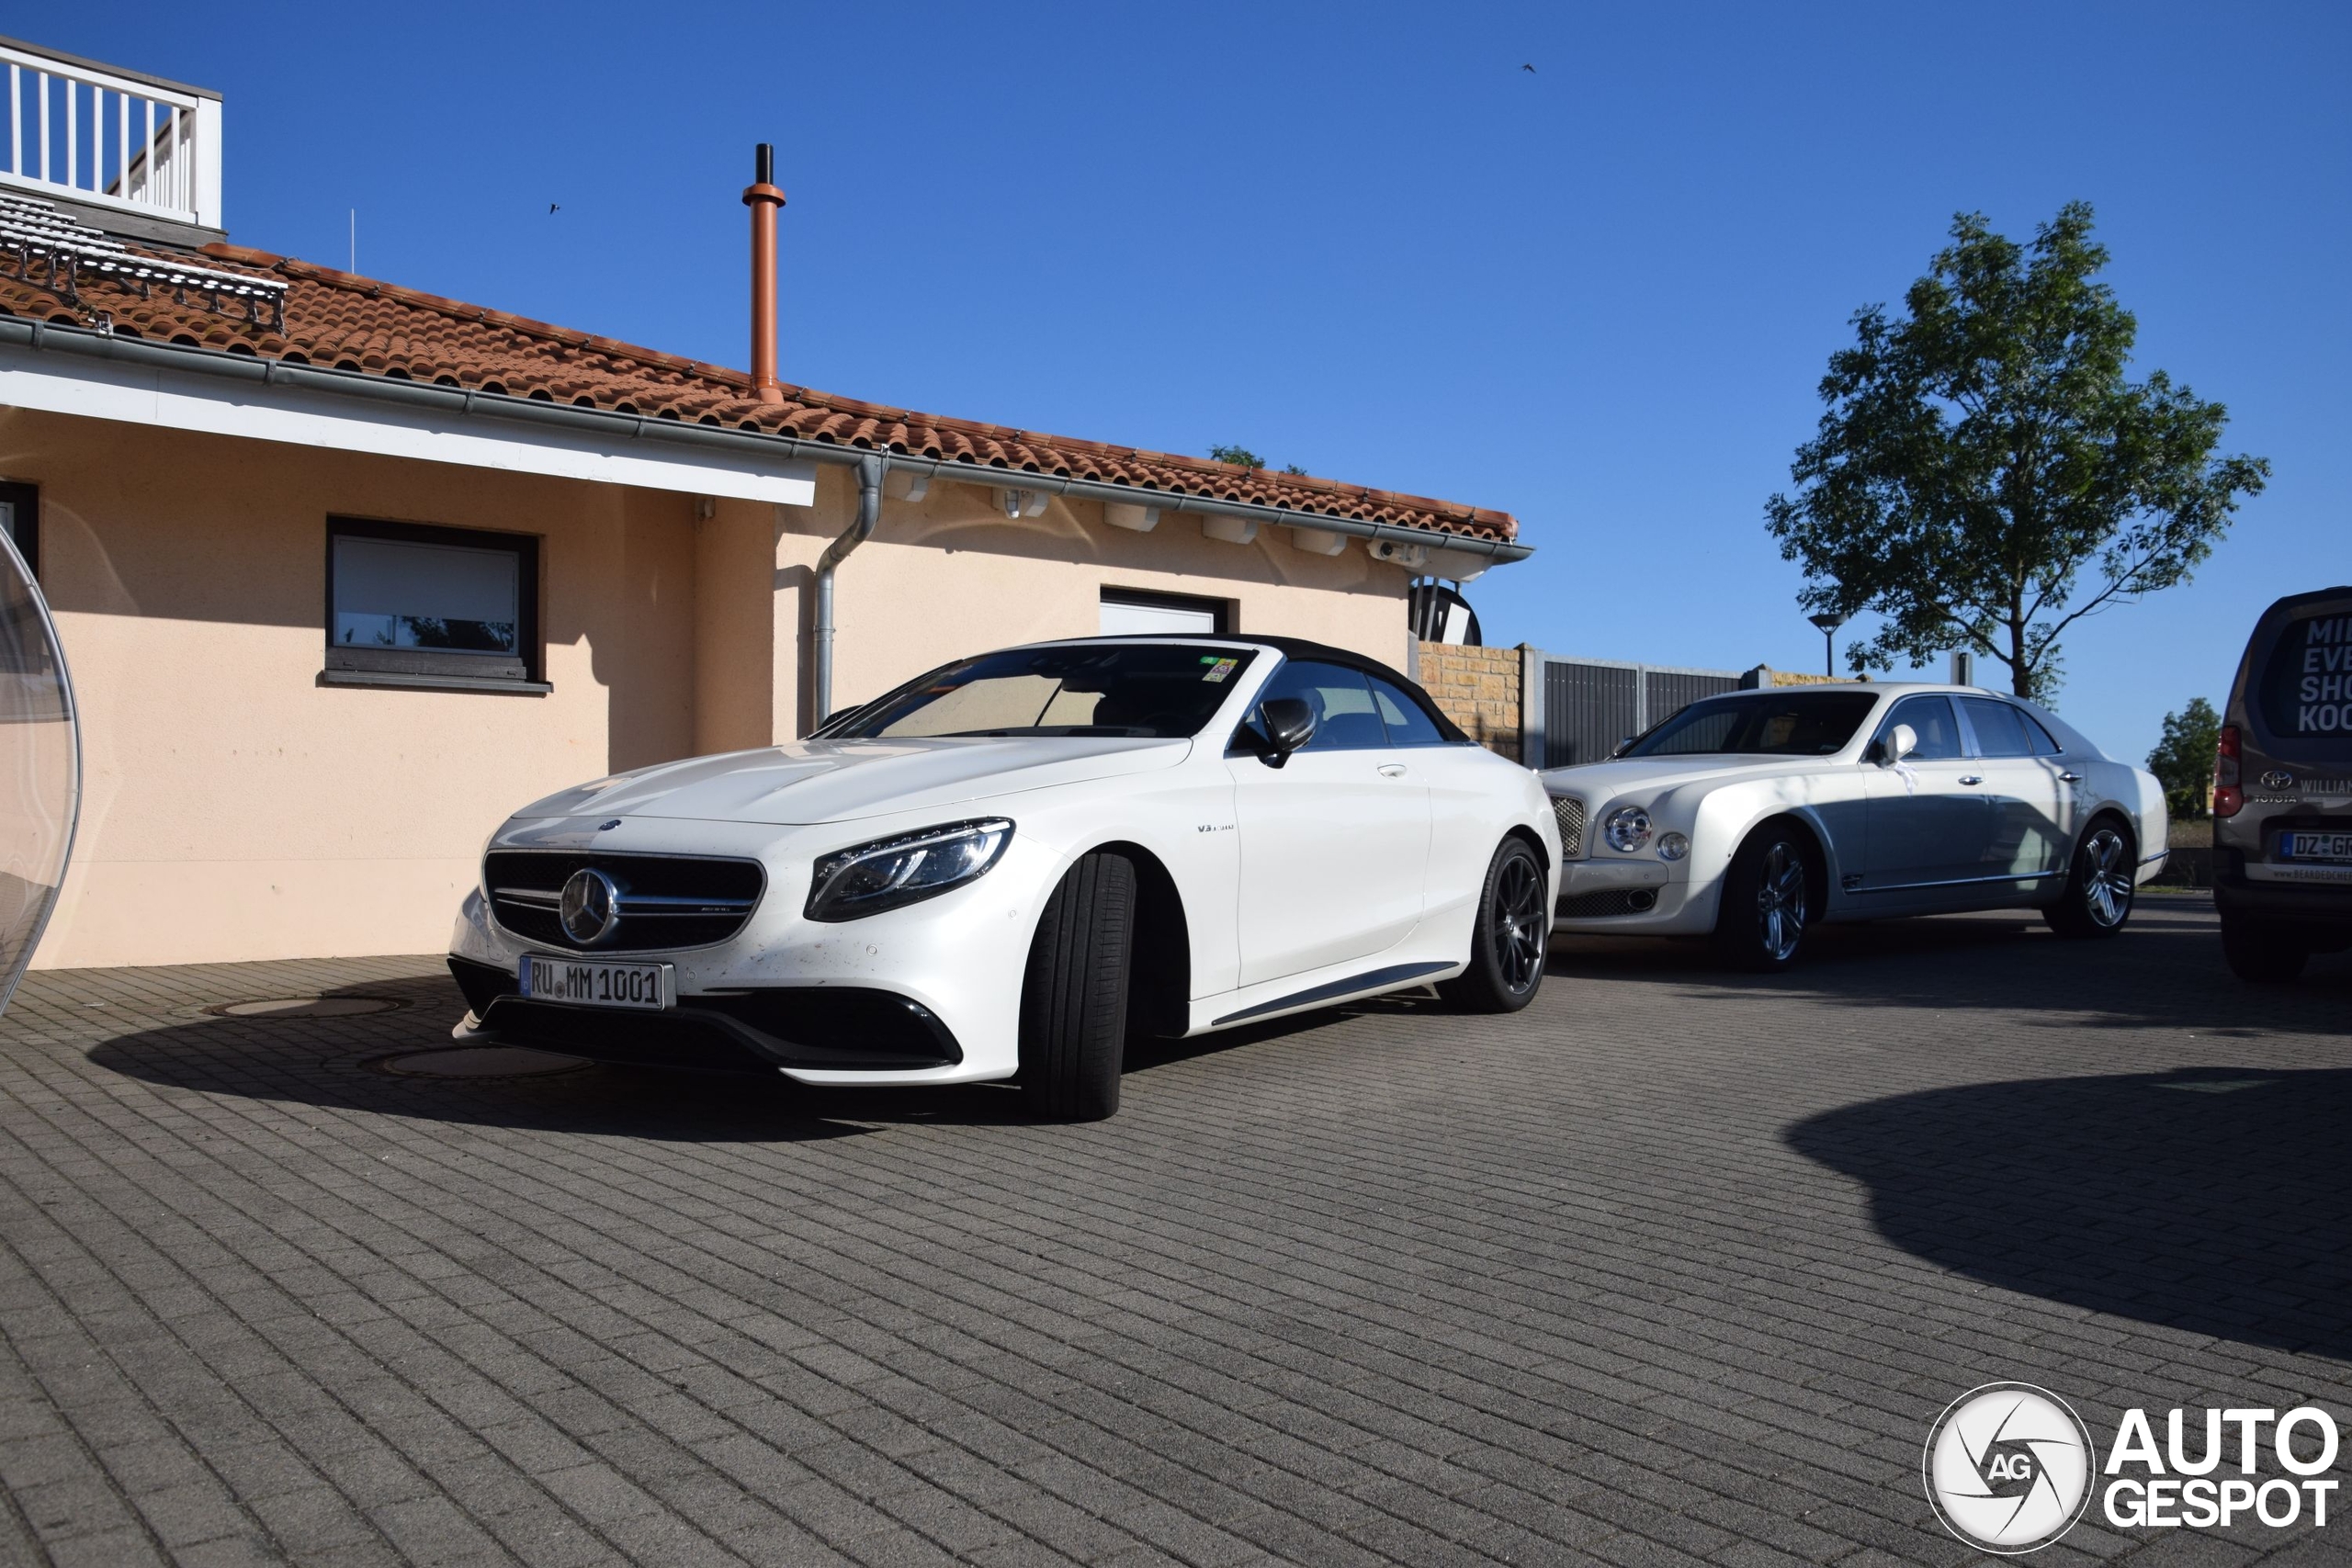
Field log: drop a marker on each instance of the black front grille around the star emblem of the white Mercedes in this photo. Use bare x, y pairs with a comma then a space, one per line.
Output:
664, 902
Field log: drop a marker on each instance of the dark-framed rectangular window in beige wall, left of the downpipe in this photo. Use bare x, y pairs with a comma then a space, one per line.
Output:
436, 605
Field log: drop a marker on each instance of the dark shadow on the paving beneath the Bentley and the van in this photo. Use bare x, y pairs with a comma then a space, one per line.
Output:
2163, 972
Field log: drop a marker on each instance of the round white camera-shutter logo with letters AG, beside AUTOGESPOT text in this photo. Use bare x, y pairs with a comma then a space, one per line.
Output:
2007, 1468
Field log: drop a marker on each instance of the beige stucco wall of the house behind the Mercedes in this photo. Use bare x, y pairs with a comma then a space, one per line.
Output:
239, 810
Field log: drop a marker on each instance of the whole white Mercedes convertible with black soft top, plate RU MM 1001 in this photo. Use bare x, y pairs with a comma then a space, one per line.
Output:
1017, 862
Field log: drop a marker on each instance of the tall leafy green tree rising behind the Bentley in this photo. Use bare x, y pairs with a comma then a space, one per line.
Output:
1986, 476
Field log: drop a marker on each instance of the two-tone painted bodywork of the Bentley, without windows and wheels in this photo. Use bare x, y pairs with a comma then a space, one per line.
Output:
1911, 840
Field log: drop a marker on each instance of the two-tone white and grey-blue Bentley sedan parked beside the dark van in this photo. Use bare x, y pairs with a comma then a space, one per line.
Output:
1758, 815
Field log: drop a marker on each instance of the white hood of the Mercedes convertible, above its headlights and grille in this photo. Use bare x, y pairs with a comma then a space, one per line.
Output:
836, 782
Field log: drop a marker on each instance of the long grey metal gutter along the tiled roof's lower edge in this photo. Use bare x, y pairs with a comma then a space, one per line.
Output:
88, 342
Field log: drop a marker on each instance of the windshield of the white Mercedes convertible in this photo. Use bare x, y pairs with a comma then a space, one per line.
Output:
1147, 690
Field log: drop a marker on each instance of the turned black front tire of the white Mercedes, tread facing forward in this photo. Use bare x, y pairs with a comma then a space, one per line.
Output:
1074, 998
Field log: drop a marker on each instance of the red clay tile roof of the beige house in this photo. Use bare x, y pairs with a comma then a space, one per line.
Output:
359, 323
